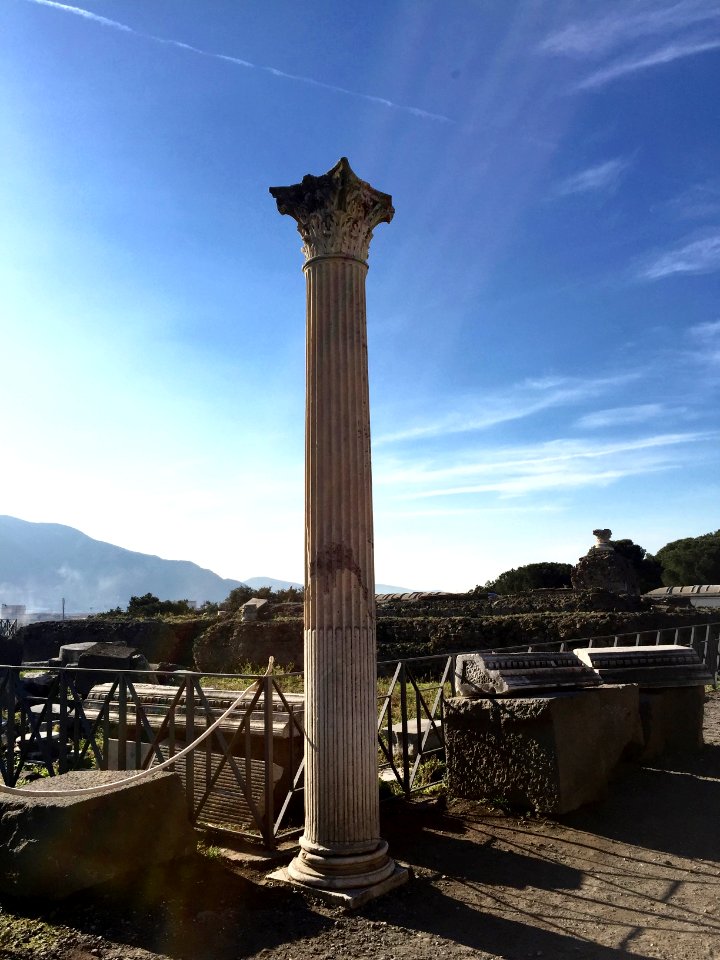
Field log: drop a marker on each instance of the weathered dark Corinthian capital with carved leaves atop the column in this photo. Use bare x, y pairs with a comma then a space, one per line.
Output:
336, 213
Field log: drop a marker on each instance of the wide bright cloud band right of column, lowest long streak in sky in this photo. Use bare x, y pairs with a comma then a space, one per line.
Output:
554, 465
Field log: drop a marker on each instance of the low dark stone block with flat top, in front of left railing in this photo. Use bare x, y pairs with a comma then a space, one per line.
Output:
53, 846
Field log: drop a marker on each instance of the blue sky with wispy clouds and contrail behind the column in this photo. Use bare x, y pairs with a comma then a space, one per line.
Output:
543, 311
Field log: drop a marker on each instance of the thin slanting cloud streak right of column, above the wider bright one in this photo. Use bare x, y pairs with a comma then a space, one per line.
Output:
522, 400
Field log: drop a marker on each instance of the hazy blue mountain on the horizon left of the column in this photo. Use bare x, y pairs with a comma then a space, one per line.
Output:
42, 562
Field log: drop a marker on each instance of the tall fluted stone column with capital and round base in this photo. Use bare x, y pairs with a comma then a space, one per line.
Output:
341, 848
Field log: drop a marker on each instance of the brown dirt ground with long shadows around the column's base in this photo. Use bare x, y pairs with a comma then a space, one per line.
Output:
638, 875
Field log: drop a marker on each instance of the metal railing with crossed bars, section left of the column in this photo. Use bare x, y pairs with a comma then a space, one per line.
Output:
243, 777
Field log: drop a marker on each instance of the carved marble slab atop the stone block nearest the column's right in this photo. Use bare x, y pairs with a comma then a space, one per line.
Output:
512, 674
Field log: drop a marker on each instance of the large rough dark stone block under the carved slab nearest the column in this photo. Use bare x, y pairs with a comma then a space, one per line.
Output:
550, 754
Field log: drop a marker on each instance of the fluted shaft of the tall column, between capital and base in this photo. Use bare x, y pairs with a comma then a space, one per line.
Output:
340, 648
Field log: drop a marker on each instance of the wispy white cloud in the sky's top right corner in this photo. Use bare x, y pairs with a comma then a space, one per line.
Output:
637, 37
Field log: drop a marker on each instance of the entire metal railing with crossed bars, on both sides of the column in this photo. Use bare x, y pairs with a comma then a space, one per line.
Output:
248, 776
